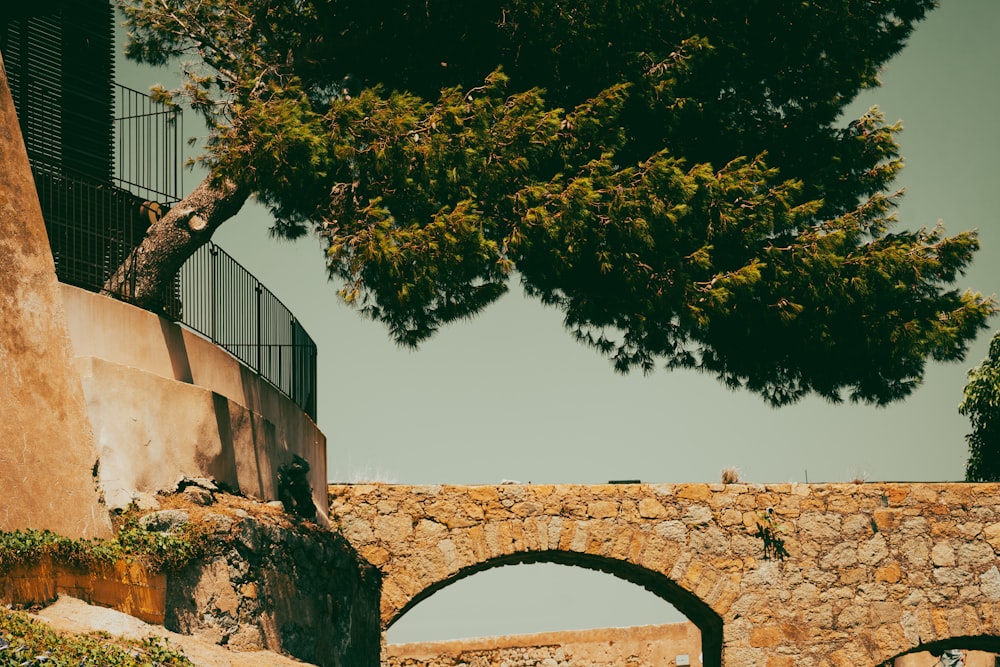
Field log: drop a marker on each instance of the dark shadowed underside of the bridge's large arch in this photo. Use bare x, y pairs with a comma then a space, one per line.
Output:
697, 611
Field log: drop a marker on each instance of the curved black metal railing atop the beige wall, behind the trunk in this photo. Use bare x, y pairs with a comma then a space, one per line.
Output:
92, 230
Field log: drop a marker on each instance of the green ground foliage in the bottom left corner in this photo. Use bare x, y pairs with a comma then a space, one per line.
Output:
28, 642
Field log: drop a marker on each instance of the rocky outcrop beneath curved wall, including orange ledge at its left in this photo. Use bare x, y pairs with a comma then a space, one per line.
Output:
259, 579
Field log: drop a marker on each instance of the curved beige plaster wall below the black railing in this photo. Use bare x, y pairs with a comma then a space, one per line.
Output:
166, 403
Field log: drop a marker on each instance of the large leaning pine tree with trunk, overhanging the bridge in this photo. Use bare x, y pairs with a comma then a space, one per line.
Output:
670, 174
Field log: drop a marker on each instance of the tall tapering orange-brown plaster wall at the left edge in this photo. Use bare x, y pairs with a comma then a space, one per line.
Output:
47, 450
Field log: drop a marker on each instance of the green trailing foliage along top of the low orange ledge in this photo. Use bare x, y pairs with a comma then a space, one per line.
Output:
158, 551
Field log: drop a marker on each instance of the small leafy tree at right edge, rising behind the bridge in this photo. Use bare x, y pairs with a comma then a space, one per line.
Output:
981, 404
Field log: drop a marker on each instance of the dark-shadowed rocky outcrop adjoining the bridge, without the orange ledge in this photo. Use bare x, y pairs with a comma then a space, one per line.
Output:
271, 582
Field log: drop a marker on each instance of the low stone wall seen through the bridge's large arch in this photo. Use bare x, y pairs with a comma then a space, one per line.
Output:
643, 646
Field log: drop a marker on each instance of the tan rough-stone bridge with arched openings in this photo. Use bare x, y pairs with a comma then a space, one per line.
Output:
773, 575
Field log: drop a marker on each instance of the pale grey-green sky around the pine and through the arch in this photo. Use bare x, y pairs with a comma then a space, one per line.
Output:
510, 395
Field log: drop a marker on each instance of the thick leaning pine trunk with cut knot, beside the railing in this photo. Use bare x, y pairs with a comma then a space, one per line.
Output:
146, 276
